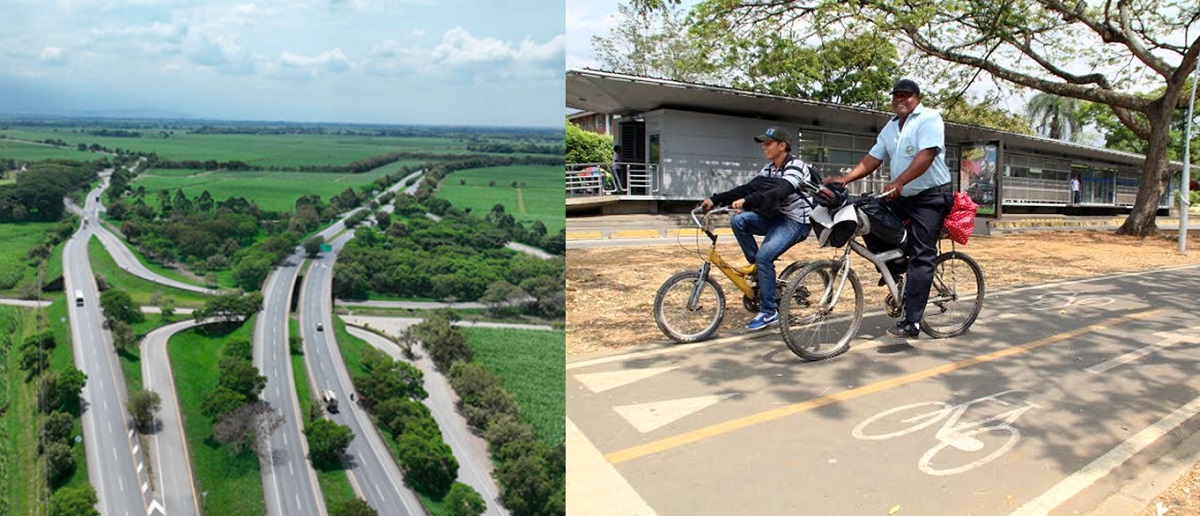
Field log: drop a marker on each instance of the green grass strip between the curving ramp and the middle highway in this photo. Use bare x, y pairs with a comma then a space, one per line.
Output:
232, 482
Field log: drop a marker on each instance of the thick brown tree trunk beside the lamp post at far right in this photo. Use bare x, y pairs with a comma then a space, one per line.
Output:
1154, 178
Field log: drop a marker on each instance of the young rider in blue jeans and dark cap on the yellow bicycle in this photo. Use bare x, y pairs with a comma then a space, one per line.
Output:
775, 209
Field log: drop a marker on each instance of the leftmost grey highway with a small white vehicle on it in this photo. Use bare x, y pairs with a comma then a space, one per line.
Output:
116, 464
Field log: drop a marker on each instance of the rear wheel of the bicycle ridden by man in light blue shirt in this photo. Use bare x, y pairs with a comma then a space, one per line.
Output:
956, 297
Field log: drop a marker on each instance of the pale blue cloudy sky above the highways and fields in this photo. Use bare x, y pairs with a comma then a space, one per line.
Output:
379, 62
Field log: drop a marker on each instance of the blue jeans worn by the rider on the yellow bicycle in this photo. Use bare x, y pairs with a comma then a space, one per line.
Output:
782, 235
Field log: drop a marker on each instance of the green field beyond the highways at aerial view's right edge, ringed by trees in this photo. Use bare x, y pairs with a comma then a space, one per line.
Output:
541, 200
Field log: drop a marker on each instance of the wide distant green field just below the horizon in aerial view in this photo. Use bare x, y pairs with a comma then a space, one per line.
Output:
259, 151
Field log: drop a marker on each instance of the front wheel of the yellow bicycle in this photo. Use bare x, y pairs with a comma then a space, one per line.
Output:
685, 323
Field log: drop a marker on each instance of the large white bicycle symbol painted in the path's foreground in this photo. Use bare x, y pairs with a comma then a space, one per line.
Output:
976, 443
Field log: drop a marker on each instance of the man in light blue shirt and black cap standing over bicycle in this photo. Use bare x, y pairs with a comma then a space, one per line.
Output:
914, 143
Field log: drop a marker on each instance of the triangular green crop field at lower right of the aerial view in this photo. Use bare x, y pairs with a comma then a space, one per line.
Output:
532, 364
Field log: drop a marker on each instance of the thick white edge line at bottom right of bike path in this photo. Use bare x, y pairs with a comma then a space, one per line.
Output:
1084, 478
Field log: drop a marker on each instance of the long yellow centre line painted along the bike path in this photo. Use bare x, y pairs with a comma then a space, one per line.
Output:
673, 442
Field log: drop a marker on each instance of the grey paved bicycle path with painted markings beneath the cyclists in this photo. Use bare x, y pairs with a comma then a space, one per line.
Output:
740, 425
